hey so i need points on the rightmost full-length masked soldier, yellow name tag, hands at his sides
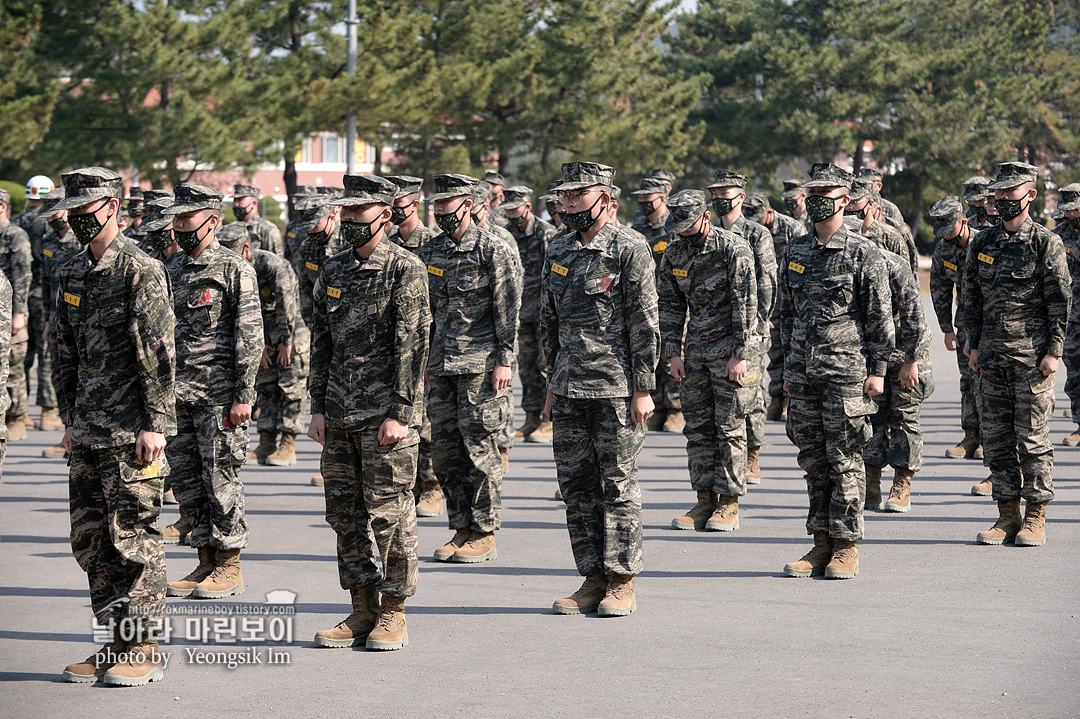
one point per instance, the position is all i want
(1017, 300)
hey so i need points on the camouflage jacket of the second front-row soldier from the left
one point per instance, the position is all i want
(370, 338)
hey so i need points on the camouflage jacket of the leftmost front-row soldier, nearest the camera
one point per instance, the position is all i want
(114, 347)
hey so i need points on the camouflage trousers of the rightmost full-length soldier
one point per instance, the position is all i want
(1016, 404)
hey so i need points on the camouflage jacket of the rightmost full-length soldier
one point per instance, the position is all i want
(1017, 295)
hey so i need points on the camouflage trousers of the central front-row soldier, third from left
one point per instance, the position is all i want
(597, 449)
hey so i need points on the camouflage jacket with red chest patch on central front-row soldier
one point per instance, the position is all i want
(599, 317)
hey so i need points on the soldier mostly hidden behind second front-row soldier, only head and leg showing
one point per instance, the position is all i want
(412, 235)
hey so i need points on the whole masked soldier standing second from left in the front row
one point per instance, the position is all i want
(370, 350)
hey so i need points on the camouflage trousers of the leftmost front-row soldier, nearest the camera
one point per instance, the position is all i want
(115, 501)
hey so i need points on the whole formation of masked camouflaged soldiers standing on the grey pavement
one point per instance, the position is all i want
(407, 341)
